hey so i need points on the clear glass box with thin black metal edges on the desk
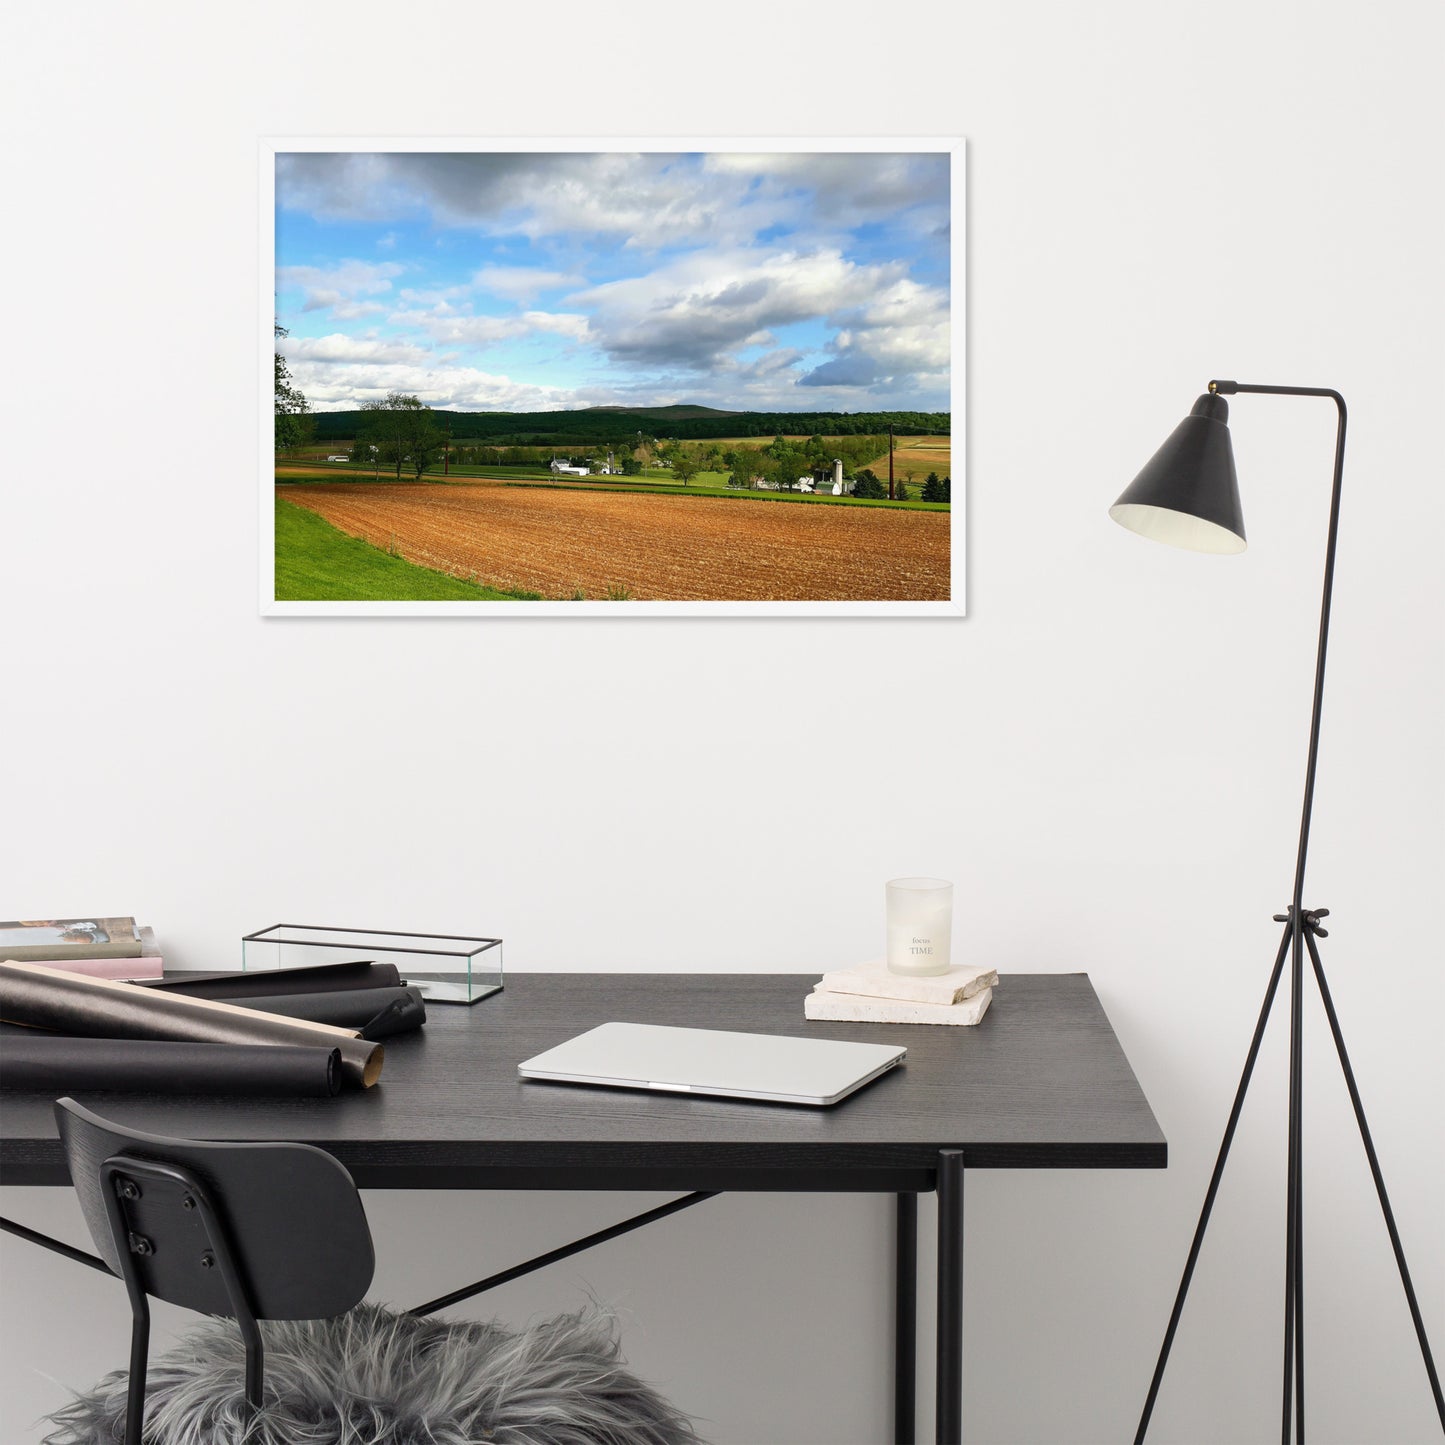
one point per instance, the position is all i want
(447, 967)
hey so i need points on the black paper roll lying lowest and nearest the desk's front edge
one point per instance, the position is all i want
(54, 1064)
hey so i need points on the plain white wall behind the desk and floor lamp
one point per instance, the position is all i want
(1110, 764)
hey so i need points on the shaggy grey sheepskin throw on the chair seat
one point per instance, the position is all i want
(372, 1378)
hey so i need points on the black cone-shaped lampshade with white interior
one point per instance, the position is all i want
(1189, 495)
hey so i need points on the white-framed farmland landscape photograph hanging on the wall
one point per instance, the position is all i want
(557, 381)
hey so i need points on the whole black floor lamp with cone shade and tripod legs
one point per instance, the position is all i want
(1189, 496)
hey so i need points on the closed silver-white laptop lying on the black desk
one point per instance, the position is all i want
(712, 1061)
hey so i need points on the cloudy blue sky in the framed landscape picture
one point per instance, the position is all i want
(491, 281)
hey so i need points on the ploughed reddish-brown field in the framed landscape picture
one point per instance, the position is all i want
(657, 548)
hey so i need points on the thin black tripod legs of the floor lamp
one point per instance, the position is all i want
(1303, 928)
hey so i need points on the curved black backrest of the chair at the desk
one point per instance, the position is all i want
(285, 1219)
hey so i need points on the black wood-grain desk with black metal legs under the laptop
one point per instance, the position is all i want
(1040, 1084)
